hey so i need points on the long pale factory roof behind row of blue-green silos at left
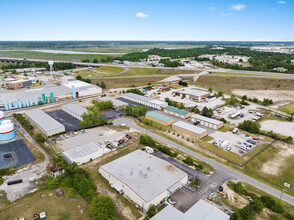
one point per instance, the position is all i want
(26, 94)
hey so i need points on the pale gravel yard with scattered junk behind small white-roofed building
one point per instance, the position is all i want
(97, 135)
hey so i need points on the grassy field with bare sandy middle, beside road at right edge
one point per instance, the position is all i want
(273, 164)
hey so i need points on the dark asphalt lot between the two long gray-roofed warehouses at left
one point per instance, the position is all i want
(70, 123)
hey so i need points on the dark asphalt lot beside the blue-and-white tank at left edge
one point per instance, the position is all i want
(21, 154)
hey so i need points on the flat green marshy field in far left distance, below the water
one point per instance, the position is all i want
(49, 56)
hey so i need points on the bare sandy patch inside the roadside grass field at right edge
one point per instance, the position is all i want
(279, 161)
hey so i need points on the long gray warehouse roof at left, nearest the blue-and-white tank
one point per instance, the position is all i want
(45, 121)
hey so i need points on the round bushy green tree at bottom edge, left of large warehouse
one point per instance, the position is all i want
(101, 208)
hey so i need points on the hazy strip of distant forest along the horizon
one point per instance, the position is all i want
(90, 44)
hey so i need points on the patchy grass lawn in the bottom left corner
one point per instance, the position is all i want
(56, 208)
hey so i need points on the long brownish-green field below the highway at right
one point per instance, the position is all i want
(229, 83)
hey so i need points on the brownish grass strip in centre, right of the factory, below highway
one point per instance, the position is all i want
(128, 82)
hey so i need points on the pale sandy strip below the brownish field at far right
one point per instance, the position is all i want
(275, 95)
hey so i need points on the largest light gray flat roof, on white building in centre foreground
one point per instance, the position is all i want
(160, 177)
